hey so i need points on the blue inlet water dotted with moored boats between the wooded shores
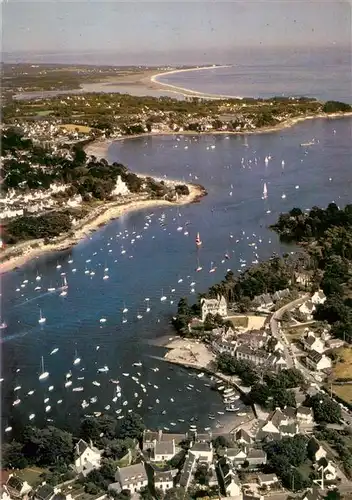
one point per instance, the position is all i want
(159, 258)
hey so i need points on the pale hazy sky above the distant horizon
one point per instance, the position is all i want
(153, 29)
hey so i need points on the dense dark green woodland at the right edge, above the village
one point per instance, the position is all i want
(328, 234)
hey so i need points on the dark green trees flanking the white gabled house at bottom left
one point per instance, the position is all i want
(54, 449)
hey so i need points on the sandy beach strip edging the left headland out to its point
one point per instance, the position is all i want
(107, 213)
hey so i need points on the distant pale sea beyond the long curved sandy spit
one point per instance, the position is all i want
(324, 74)
